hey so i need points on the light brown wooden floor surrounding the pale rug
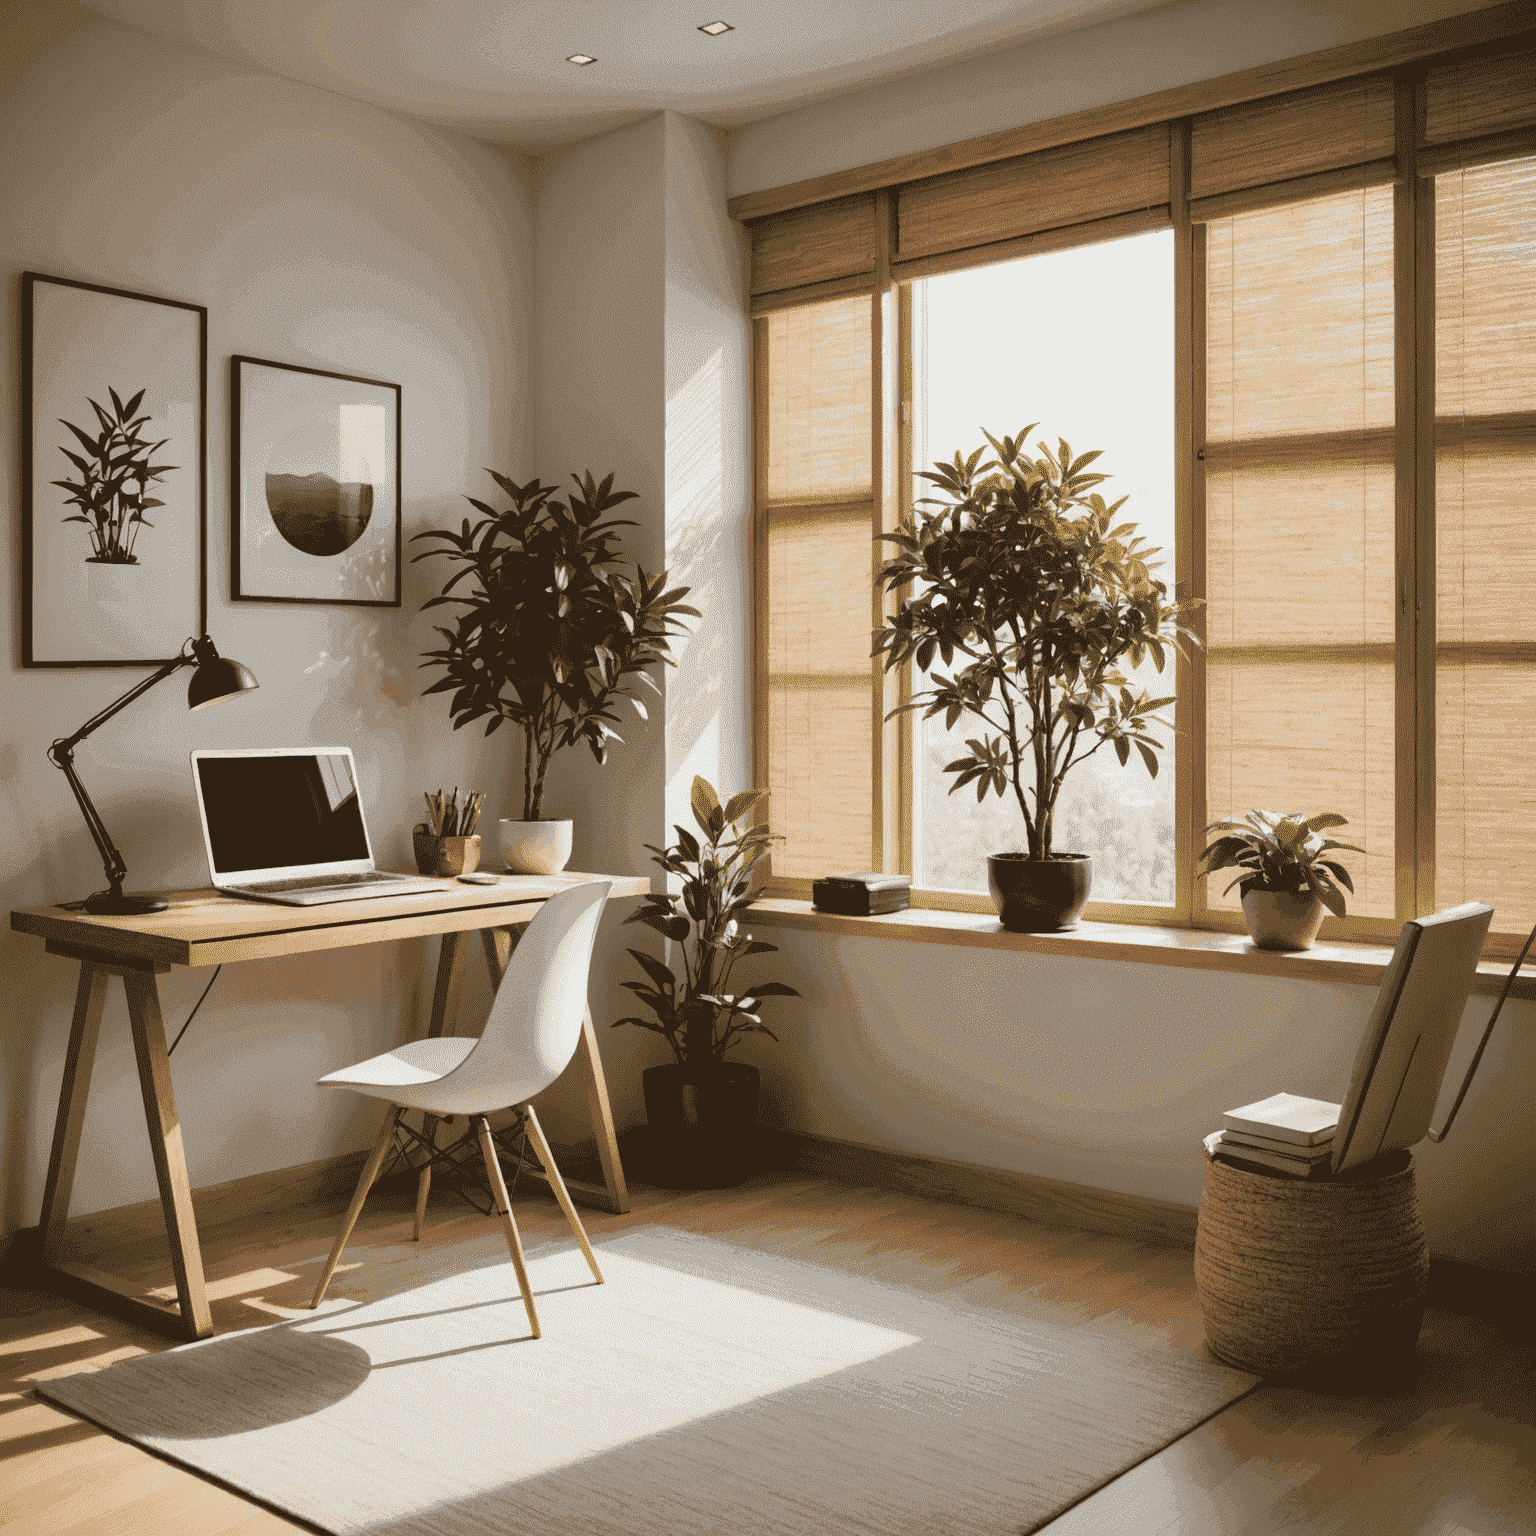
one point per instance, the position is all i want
(1454, 1457)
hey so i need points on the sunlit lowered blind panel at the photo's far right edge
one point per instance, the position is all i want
(1486, 529)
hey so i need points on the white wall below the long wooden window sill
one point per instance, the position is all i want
(1110, 1074)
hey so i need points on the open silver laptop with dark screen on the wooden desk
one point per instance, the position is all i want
(285, 824)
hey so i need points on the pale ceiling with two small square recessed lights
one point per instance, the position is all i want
(497, 68)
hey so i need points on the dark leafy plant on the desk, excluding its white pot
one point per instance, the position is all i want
(552, 634)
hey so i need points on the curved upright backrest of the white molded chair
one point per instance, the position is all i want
(535, 1021)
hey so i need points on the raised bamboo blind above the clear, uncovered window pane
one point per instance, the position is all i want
(985, 207)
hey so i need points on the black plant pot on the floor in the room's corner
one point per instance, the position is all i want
(703, 1124)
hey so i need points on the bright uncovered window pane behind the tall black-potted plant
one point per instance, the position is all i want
(1082, 343)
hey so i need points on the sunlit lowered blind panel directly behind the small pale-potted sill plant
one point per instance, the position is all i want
(1300, 506)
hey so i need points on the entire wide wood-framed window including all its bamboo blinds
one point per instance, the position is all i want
(1303, 331)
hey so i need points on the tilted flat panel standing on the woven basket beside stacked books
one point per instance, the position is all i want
(1403, 1054)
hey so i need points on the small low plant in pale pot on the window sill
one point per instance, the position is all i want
(1286, 878)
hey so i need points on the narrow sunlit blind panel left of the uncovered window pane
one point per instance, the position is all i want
(819, 574)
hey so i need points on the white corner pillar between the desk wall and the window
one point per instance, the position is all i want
(641, 365)
